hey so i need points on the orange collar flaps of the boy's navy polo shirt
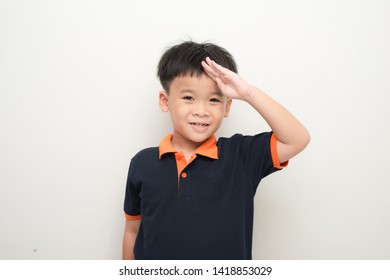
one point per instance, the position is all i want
(207, 149)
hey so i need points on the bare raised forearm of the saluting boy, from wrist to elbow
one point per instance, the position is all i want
(287, 129)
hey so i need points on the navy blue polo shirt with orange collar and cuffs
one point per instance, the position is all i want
(202, 209)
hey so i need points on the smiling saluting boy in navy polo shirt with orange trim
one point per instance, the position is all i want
(192, 197)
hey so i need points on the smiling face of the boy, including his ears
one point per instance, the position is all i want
(196, 106)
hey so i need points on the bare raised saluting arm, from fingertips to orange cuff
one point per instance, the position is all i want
(291, 134)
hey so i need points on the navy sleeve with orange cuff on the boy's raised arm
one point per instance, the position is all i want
(260, 155)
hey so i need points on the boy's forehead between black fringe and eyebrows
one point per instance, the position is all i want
(195, 84)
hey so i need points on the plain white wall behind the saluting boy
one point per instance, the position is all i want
(78, 98)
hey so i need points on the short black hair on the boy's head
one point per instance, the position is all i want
(185, 59)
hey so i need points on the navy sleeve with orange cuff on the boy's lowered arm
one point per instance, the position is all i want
(132, 202)
